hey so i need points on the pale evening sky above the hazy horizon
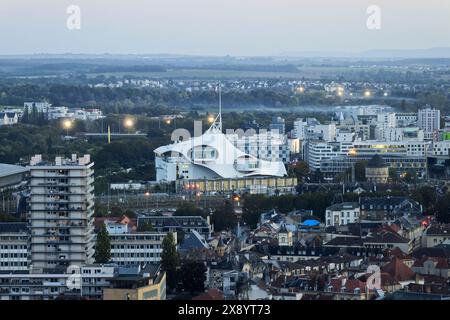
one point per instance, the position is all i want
(220, 27)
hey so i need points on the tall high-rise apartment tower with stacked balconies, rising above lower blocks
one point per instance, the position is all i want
(61, 210)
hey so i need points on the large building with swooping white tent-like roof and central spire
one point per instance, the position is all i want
(213, 156)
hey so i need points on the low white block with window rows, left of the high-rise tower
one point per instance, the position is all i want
(13, 246)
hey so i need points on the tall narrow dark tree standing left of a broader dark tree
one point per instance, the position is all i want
(170, 260)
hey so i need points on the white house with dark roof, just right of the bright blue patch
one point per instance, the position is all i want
(342, 214)
